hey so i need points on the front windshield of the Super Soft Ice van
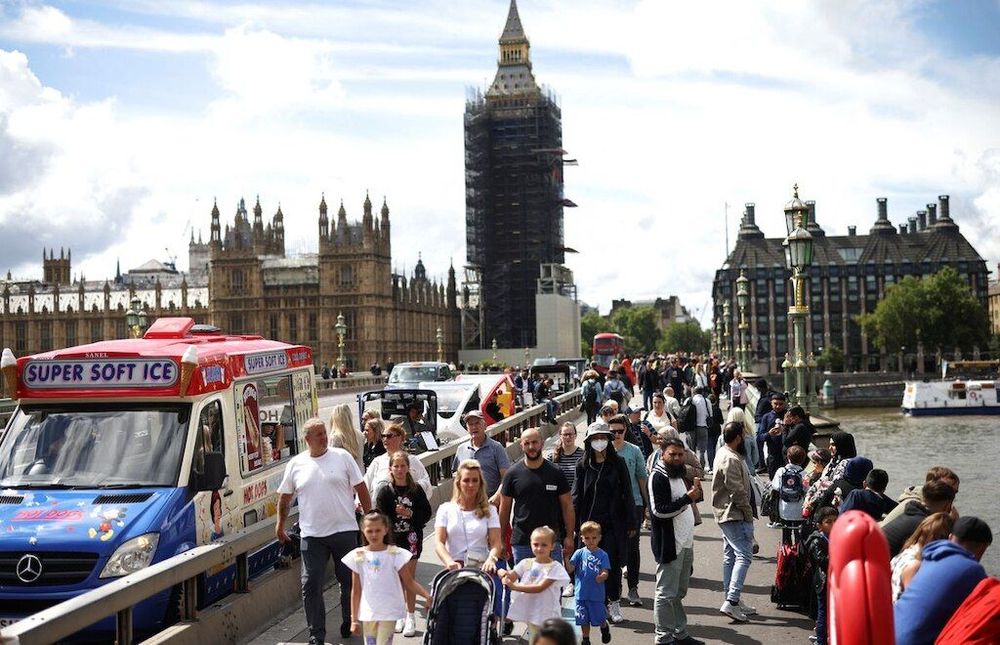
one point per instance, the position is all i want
(94, 446)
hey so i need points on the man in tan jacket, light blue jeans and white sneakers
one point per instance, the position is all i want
(733, 506)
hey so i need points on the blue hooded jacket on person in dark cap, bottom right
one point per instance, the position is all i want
(947, 575)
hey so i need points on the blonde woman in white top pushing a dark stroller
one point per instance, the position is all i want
(467, 529)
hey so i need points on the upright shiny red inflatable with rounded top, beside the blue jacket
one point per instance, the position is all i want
(859, 583)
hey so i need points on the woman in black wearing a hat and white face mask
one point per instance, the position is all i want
(602, 493)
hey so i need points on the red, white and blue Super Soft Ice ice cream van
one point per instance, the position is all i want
(124, 453)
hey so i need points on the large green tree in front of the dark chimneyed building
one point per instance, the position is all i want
(939, 311)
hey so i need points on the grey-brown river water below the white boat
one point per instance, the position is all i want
(907, 447)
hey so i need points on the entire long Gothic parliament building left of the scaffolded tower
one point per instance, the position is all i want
(243, 281)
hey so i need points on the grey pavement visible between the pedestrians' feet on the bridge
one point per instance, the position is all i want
(702, 603)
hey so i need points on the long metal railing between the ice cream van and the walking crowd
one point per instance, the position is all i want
(118, 597)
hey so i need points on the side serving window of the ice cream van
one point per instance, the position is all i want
(265, 422)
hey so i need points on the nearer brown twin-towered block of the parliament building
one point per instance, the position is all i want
(256, 288)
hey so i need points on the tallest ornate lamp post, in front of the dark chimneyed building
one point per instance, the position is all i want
(798, 257)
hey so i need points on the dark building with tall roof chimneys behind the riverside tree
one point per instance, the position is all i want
(848, 276)
